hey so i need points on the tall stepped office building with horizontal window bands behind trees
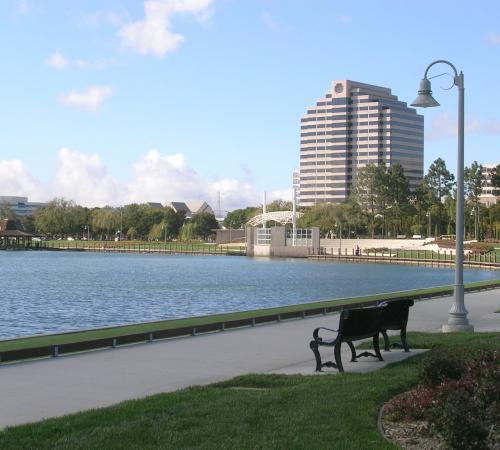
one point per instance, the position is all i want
(356, 124)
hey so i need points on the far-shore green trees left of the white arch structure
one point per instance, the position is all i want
(62, 218)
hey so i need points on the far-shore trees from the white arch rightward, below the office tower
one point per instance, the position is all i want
(382, 204)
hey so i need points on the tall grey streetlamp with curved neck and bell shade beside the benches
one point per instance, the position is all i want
(457, 317)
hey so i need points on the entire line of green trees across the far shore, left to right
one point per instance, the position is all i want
(381, 204)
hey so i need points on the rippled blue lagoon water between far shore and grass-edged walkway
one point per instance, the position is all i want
(46, 292)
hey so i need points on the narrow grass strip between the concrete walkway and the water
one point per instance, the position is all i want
(110, 332)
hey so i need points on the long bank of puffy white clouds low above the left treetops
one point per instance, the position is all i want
(155, 177)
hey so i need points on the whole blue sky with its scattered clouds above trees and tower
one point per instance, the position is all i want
(107, 102)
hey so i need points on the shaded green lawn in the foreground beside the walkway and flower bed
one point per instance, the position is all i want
(253, 411)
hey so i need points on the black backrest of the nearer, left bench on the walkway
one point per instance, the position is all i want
(359, 323)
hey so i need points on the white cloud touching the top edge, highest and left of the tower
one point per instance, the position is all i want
(153, 34)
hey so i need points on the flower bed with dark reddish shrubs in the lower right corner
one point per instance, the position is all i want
(456, 403)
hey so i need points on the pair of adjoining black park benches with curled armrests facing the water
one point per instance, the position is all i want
(363, 323)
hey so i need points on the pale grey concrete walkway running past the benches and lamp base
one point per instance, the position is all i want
(31, 391)
